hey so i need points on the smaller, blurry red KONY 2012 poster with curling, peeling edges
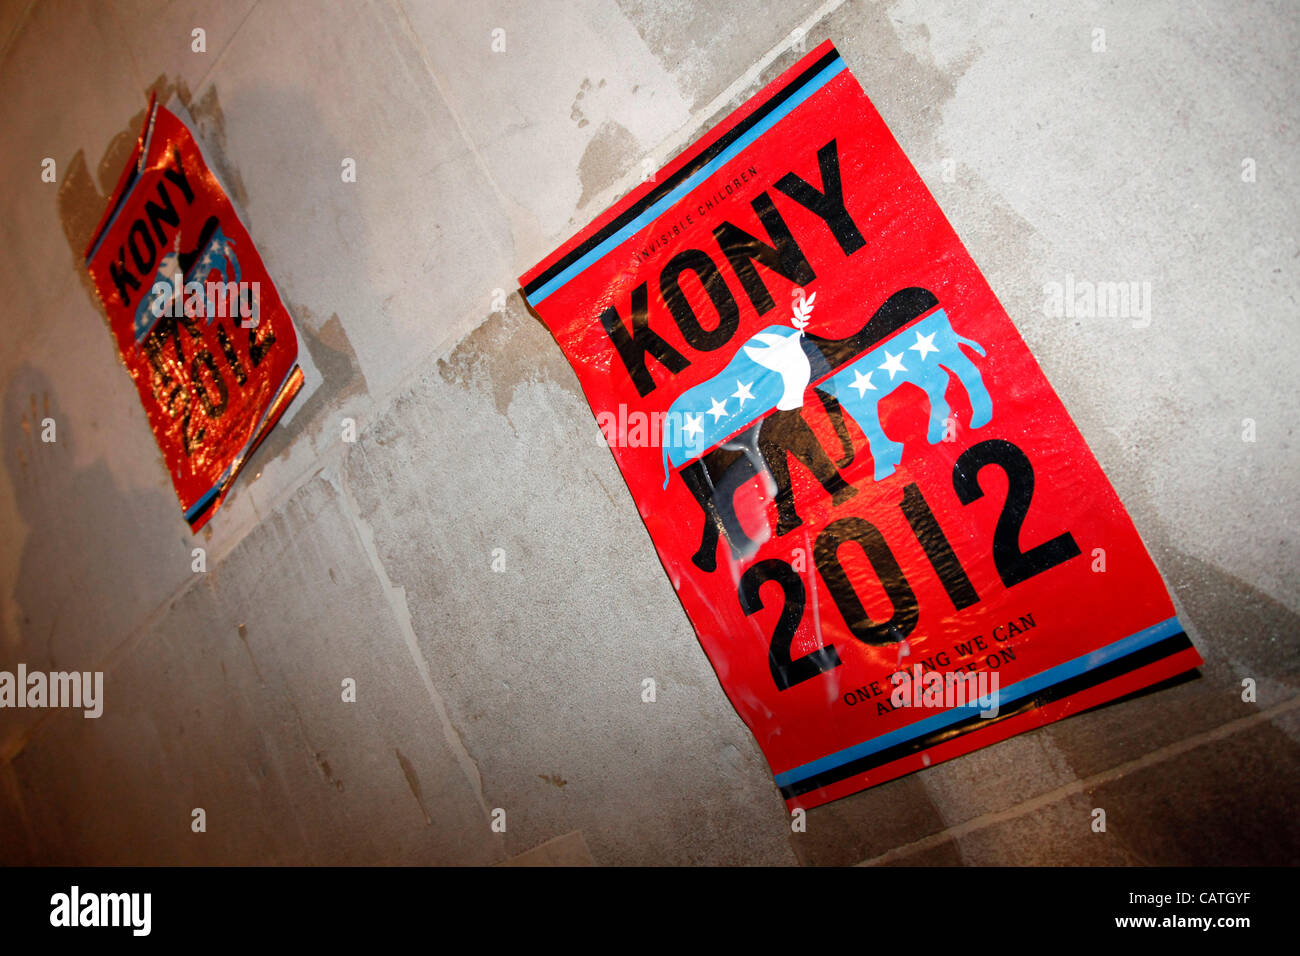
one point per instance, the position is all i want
(198, 321)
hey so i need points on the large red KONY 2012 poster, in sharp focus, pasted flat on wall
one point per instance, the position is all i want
(891, 539)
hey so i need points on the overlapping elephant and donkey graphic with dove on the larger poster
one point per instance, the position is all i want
(747, 421)
